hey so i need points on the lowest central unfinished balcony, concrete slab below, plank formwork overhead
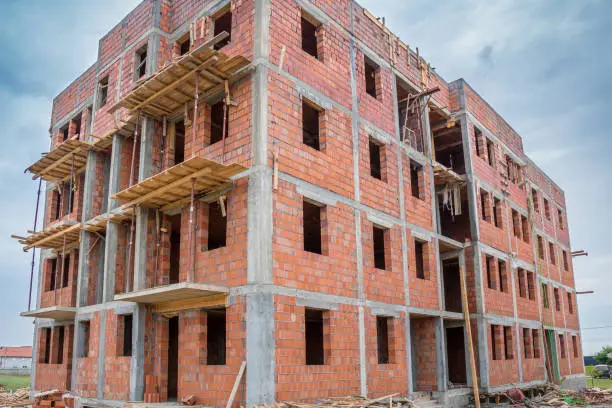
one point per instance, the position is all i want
(172, 199)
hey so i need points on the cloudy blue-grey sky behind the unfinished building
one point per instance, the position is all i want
(543, 65)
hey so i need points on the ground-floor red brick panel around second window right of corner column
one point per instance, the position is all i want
(385, 379)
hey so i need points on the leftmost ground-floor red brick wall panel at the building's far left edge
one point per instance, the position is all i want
(54, 376)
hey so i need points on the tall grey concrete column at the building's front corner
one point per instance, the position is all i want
(260, 356)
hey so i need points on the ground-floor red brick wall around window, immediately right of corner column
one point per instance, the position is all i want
(340, 374)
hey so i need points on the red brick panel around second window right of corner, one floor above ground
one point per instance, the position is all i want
(382, 285)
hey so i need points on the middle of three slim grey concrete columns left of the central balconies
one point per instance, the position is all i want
(112, 229)
